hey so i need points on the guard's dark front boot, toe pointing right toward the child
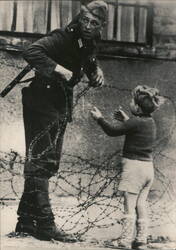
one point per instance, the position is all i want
(49, 231)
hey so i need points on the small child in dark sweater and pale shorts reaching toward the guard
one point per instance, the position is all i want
(137, 172)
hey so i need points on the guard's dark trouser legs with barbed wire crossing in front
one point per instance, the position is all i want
(44, 132)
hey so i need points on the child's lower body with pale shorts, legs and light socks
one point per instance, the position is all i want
(136, 180)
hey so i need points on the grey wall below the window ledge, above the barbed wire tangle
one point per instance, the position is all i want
(83, 137)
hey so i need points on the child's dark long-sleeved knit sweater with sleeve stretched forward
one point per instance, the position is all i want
(140, 136)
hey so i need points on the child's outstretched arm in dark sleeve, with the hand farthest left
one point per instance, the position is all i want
(109, 129)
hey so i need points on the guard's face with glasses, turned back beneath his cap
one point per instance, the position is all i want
(90, 26)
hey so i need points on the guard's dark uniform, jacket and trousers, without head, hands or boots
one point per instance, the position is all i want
(47, 106)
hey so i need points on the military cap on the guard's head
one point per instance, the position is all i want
(97, 8)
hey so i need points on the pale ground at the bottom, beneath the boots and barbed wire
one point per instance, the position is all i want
(96, 238)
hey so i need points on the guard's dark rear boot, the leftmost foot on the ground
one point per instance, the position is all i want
(25, 225)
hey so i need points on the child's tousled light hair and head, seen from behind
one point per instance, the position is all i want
(147, 98)
